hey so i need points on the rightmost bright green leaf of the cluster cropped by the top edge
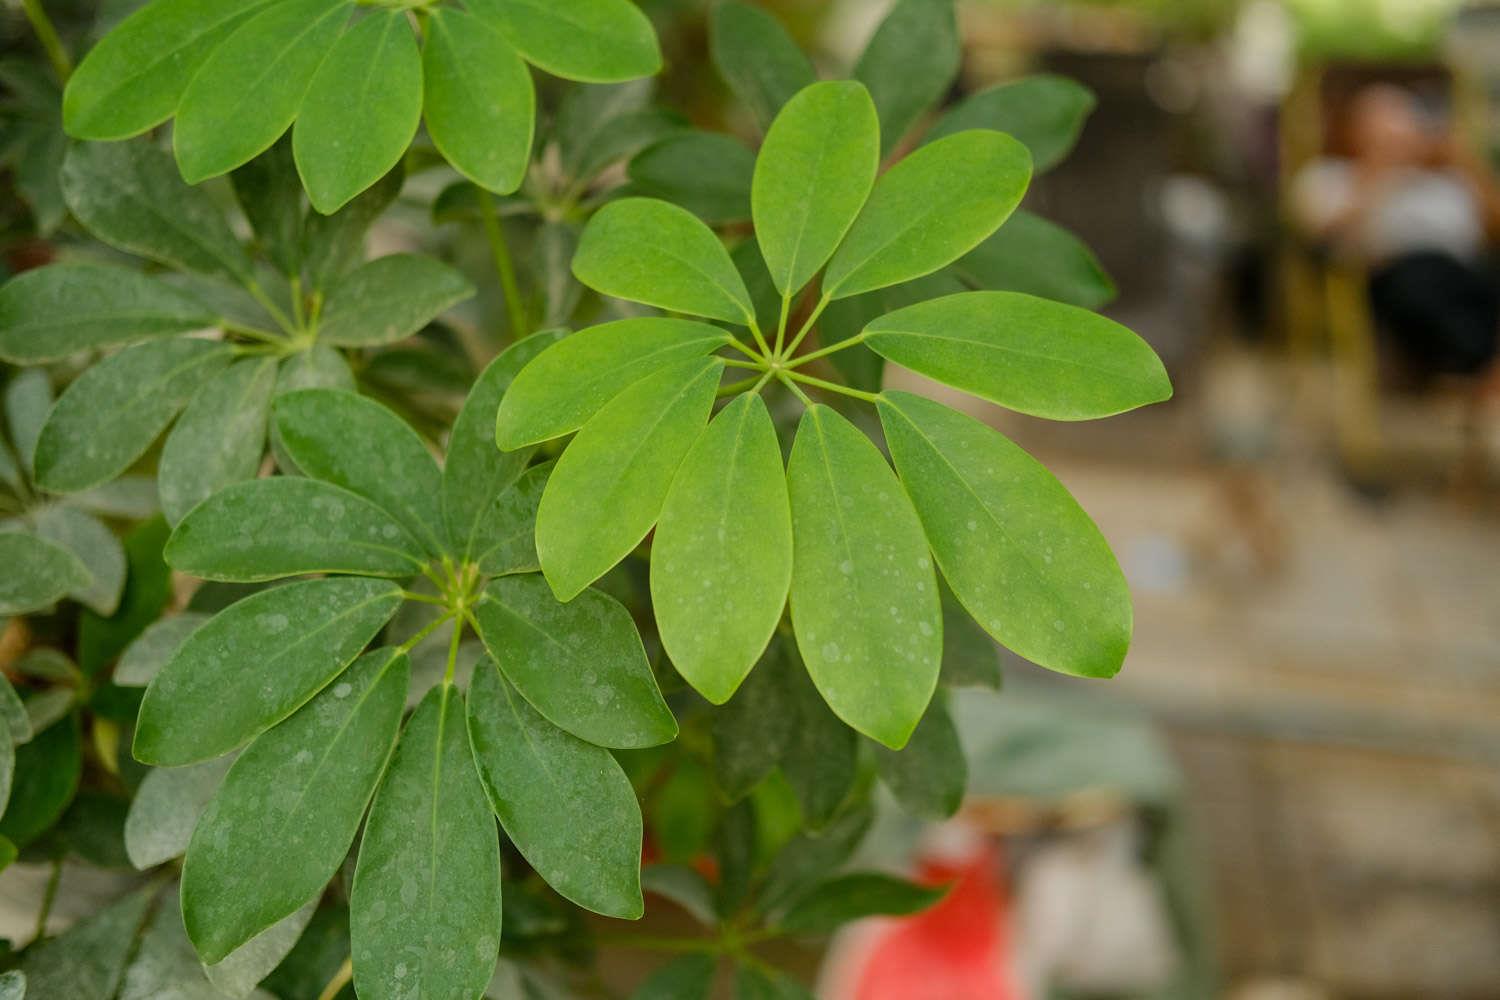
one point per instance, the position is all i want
(592, 41)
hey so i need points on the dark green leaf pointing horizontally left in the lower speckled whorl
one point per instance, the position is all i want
(289, 525)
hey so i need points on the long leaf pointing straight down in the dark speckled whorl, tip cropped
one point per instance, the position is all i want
(425, 909)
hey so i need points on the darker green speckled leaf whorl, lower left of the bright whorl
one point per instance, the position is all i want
(287, 672)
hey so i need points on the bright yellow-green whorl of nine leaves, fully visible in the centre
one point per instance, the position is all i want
(838, 536)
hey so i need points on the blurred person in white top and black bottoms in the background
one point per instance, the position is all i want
(1415, 206)
